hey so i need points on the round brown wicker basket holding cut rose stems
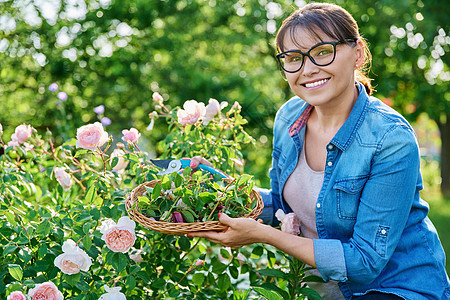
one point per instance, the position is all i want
(180, 228)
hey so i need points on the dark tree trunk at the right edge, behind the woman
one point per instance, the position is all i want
(444, 129)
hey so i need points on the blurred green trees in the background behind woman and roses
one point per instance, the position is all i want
(117, 53)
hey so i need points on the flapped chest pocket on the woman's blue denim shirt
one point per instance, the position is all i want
(348, 193)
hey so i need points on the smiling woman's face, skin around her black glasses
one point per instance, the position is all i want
(324, 85)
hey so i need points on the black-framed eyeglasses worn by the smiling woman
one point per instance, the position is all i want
(321, 54)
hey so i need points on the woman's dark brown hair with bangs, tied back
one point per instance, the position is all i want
(332, 20)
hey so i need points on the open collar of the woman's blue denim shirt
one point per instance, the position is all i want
(345, 134)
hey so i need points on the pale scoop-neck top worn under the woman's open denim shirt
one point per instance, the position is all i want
(301, 192)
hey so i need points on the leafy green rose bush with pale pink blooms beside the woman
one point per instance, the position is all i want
(65, 232)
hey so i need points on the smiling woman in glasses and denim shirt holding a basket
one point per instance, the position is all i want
(348, 166)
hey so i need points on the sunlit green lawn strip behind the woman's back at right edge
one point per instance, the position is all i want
(440, 216)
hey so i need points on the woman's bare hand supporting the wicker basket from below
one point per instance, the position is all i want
(240, 232)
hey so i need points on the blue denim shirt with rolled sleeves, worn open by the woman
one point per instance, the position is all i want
(374, 233)
